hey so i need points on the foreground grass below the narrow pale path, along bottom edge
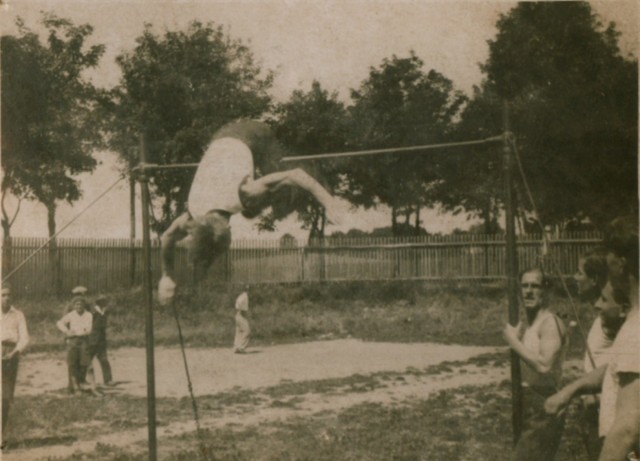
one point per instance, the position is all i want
(471, 422)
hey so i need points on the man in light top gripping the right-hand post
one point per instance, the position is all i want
(541, 344)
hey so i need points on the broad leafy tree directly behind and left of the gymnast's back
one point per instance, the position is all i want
(179, 88)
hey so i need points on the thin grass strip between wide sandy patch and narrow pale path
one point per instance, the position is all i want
(58, 418)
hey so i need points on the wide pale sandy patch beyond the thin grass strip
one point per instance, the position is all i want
(217, 370)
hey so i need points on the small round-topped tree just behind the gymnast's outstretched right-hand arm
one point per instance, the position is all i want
(309, 124)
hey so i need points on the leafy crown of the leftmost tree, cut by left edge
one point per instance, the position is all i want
(48, 112)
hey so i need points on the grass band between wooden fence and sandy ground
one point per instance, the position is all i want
(388, 311)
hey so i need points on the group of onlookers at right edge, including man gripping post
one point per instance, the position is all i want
(608, 277)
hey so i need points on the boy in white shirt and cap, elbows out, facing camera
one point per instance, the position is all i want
(76, 326)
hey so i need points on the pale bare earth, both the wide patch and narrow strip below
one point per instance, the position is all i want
(219, 370)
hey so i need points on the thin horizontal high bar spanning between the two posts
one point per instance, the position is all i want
(393, 150)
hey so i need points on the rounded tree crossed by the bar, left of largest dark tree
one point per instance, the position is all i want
(400, 105)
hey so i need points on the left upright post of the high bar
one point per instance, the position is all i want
(146, 240)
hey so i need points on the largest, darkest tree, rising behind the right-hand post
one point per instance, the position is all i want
(574, 108)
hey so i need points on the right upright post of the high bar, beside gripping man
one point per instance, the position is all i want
(512, 276)
